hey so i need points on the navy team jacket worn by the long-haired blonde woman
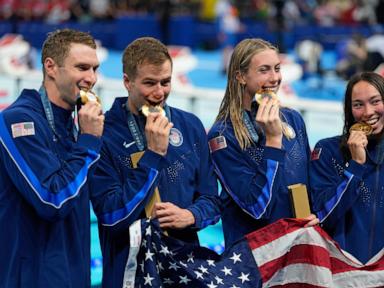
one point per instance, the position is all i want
(255, 180)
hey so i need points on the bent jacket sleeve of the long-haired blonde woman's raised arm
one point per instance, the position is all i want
(252, 185)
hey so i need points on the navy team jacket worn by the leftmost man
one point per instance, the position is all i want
(44, 205)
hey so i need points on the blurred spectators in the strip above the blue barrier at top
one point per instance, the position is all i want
(290, 12)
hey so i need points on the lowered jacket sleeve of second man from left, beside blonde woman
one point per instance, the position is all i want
(205, 208)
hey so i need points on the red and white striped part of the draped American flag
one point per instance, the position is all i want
(289, 255)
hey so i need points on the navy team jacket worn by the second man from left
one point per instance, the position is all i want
(185, 177)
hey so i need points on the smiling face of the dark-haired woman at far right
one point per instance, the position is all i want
(367, 106)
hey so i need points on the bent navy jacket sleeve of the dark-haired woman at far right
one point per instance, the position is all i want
(334, 188)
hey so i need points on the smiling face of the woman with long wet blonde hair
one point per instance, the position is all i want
(263, 73)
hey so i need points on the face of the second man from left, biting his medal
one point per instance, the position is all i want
(151, 85)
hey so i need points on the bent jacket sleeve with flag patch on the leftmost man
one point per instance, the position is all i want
(50, 184)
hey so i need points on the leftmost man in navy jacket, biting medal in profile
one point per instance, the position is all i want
(44, 164)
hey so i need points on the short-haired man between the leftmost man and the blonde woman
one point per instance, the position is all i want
(175, 160)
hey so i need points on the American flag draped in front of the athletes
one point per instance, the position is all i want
(283, 254)
